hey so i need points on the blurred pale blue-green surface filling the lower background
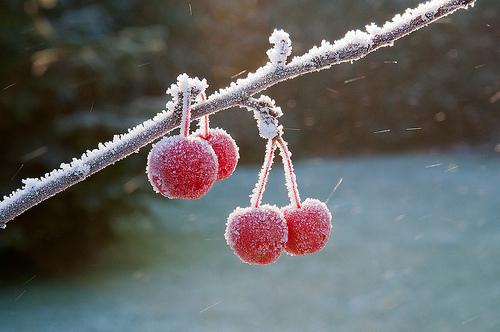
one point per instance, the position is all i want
(415, 247)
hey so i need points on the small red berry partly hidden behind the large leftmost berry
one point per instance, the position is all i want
(225, 148)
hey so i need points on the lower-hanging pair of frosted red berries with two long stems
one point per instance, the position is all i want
(259, 234)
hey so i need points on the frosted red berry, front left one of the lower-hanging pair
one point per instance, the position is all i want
(257, 235)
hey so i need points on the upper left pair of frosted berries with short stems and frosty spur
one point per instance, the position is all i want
(186, 166)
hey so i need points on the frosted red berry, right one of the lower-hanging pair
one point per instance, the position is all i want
(308, 227)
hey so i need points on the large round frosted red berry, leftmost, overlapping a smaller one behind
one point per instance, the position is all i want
(182, 167)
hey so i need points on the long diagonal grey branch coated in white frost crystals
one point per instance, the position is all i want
(355, 45)
